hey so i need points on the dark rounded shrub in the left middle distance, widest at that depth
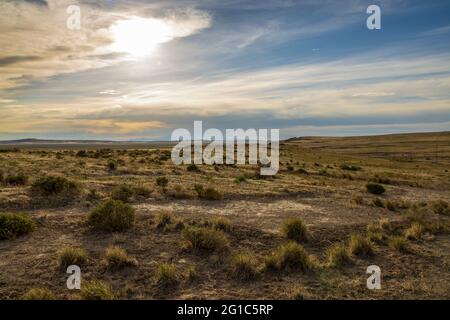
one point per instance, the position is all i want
(52, 185)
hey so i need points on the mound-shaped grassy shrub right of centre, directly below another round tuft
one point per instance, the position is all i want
(290, 256)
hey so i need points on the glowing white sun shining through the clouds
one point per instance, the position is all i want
(139, 37)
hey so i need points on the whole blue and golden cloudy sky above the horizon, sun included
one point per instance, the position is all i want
(137, 70)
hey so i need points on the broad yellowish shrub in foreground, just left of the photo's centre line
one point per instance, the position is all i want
(205, 239)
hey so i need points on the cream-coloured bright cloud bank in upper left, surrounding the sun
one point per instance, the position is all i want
(38, 45)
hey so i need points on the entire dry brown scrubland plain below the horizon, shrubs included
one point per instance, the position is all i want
(142, 228)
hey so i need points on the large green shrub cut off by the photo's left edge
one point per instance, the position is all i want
(15, 225)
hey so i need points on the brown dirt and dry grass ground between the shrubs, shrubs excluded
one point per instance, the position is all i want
(332, 201)
